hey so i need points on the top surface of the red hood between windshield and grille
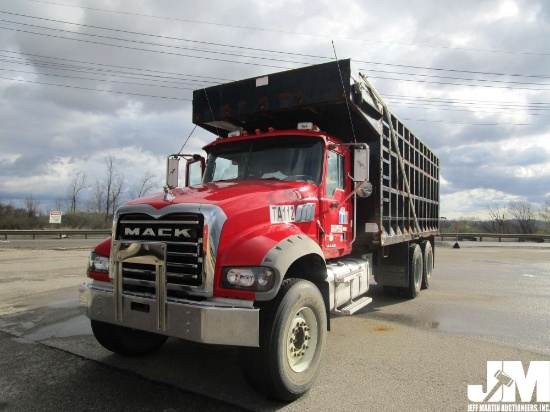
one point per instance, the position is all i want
(237, 196)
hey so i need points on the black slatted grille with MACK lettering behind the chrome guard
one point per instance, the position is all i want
(183, 236)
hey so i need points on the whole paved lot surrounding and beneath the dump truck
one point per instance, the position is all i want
(489, 303)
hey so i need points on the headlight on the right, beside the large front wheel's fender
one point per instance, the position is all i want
(258, 279)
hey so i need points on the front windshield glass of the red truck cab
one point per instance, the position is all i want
(291, 158)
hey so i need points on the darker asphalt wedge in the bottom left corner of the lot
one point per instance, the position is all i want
(39, 377)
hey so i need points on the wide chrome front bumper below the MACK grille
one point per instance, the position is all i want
(206, 322)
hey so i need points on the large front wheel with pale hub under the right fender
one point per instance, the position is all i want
(292, 341)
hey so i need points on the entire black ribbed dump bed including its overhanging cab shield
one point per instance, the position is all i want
(342, 103)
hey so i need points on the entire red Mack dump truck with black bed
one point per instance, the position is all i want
(310, 187)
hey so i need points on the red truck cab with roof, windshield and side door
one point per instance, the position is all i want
(312, 165)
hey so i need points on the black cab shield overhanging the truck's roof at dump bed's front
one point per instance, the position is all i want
(282, 100)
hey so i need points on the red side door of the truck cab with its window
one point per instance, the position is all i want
(336, 213)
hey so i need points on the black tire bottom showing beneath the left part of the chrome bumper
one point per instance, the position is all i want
(126, 341)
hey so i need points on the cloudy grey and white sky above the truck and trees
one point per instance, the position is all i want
(84, 79)
